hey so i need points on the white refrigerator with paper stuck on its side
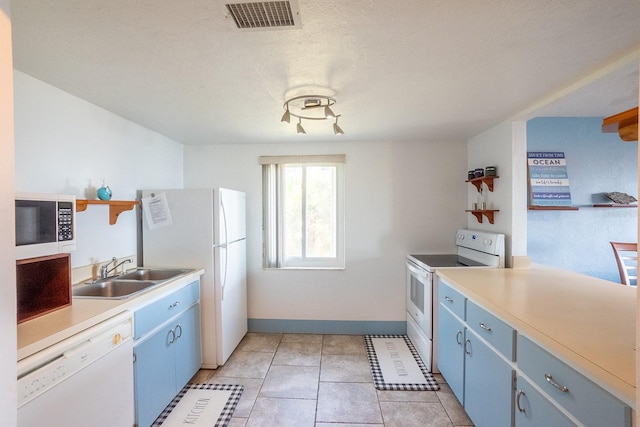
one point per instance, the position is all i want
(207, 230)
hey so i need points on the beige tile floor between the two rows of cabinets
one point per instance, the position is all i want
(302, 380)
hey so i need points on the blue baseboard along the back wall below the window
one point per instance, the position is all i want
(346, 327)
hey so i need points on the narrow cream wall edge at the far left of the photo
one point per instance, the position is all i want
(8, 401)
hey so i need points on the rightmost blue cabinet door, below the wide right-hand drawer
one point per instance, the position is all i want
(533, 409)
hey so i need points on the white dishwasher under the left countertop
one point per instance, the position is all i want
(85, 380)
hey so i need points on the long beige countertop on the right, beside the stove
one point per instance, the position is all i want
(588, 323)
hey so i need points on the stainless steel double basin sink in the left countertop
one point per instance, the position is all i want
(126, 285)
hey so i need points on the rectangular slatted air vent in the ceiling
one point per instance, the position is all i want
(260, 15)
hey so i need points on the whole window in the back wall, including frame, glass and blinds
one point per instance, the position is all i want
(303, 211)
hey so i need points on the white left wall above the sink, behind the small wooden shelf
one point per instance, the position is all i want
(67, 145)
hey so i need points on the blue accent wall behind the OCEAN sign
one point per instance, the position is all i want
(596, 163)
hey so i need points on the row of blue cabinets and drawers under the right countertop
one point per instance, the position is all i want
(485, 361)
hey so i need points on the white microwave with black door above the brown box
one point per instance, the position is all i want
(45, 224)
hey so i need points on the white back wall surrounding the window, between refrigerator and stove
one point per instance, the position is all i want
(400, 198)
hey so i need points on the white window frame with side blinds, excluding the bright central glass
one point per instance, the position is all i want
(272, 226)
